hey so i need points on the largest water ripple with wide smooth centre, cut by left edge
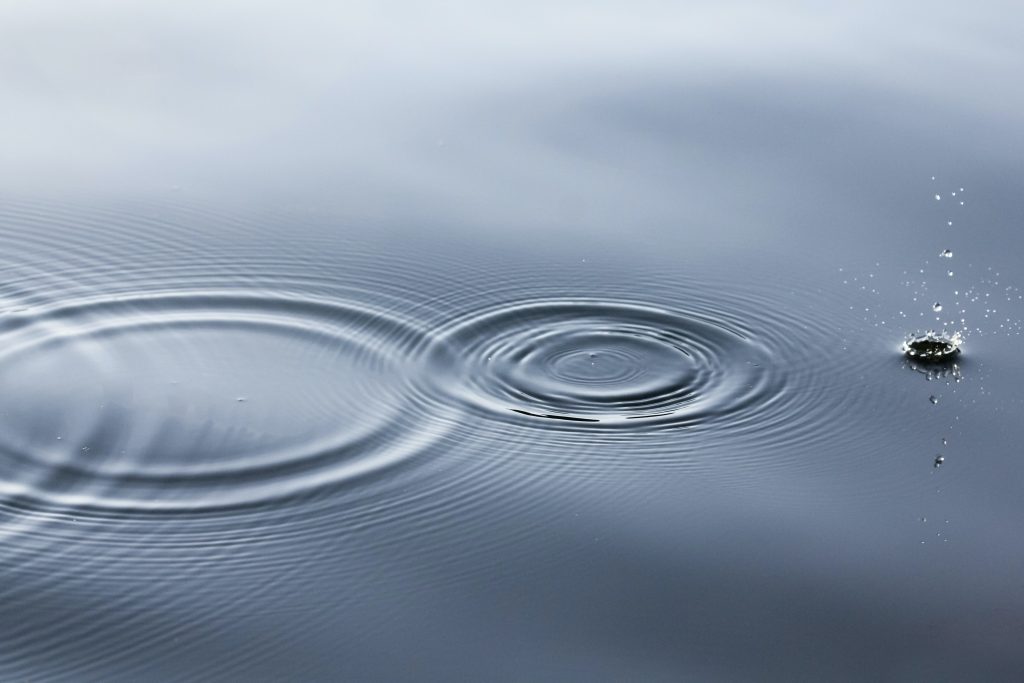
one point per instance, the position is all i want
(192, 402)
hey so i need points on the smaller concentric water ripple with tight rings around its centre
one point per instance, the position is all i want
(605, 364)
